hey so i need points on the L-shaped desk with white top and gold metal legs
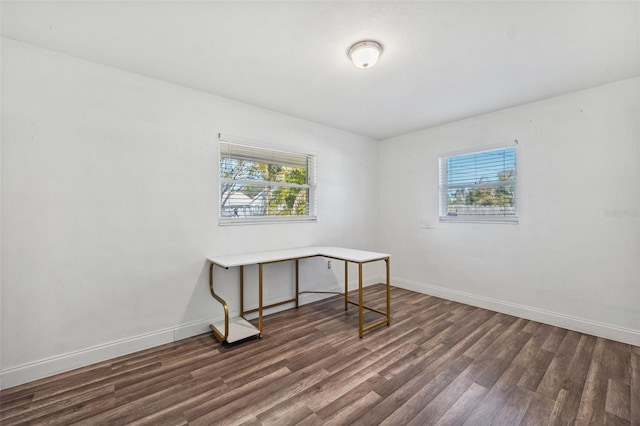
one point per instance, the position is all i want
(234, 329)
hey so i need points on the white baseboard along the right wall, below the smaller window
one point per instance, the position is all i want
(608, 331)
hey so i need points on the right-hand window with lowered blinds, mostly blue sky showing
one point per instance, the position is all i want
(479, 186)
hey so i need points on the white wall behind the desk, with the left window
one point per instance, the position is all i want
(110, 204)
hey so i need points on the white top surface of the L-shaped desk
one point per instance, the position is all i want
(351, 255)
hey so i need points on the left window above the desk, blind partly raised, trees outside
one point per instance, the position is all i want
(259, 185)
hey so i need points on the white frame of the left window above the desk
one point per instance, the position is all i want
(271, 153)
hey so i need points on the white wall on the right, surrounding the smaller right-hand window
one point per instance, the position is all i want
(574, 258)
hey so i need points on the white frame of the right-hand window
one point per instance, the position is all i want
(443, 187)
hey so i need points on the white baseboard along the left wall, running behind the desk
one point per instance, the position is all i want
(40, 369)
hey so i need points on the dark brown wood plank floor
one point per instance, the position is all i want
(439, 362)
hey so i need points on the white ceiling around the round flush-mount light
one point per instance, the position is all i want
(443, 61)
